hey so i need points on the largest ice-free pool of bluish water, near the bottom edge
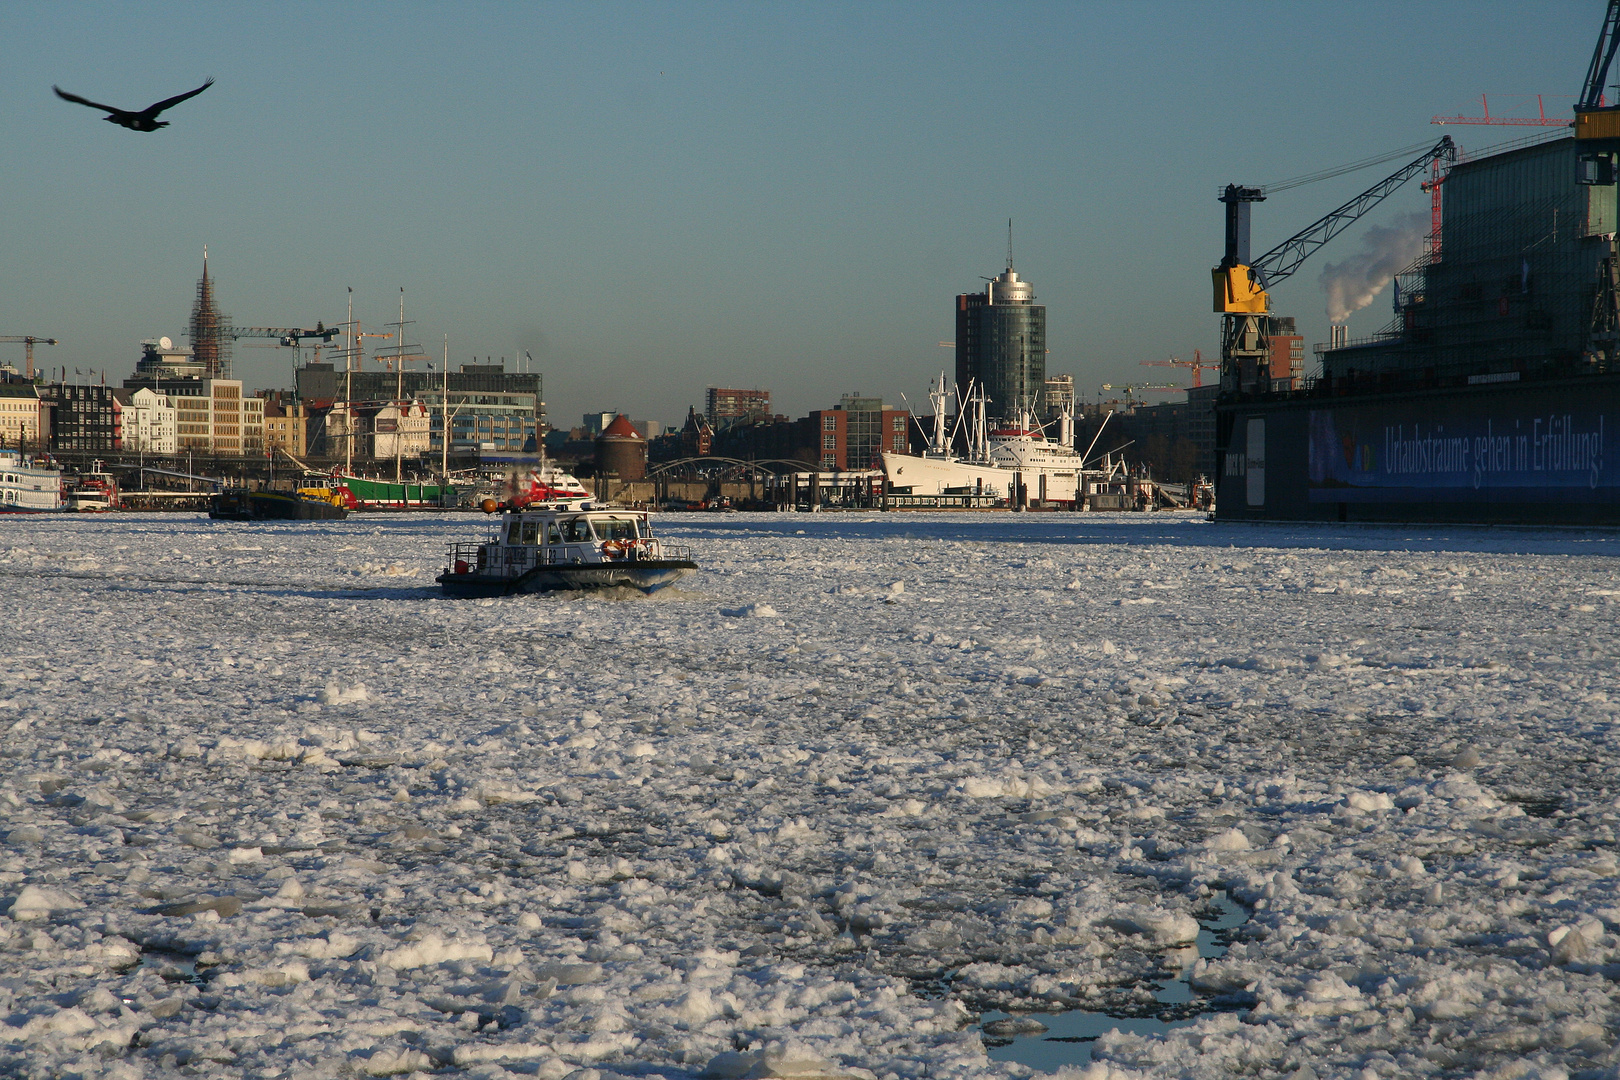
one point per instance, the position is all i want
(1070, 1035)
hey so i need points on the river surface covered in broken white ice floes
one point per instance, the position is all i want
(275, 809)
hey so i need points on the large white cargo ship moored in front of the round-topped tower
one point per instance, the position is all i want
(1002, 459)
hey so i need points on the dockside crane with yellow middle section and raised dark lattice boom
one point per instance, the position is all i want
(1243, 286)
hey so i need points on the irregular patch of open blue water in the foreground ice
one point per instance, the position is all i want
(1068, 1037)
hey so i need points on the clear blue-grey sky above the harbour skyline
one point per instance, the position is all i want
(660, 198)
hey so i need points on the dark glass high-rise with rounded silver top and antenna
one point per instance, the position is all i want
(1002, 344)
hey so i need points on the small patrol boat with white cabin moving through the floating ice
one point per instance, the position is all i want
(565, 545)
